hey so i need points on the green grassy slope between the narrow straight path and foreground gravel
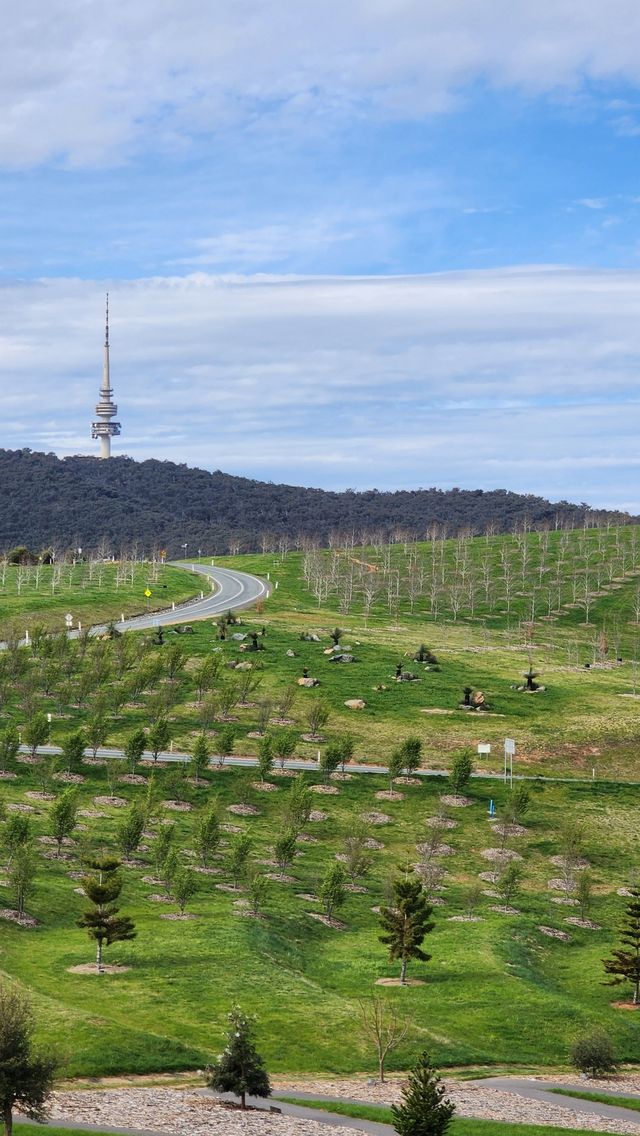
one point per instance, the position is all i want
(498, 990)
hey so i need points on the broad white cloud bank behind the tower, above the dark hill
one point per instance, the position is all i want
(525, 379)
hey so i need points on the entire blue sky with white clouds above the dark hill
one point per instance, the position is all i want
(387, 244)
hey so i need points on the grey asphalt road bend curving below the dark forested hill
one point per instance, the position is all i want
(235, 590)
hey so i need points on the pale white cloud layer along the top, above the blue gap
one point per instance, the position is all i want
(89, 85)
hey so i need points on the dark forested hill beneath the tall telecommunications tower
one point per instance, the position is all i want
(80, 502)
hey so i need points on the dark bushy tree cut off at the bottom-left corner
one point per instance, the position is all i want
(27, 1077)
